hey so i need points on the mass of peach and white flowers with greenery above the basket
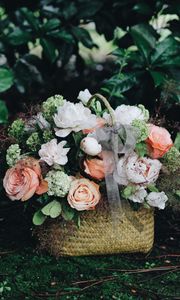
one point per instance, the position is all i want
(63, 165)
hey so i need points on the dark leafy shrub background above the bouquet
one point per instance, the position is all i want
(128, 50)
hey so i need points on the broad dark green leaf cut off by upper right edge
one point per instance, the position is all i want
(166, 51)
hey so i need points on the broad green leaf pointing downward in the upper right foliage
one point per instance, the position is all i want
(144, 37)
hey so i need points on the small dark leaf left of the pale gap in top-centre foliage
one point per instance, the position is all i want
(83, 36)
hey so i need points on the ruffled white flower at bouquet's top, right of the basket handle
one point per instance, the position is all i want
(126, 114)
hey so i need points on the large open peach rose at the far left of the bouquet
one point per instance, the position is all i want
(24, 180)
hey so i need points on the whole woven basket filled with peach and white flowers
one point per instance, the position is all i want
(89, 173)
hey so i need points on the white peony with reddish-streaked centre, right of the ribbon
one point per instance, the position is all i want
(137, 170)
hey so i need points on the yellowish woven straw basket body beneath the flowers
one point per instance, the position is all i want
(132, 231)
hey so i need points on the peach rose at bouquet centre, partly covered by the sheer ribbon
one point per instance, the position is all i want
(96, 168)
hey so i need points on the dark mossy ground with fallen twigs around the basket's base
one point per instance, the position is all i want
(32, 275)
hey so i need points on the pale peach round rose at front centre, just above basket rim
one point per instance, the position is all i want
(84, 194)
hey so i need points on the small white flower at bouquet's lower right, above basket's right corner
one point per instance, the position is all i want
(157, 199)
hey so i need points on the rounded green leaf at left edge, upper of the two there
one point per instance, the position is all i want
(6, 79)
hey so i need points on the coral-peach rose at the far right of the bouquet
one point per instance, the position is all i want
(158, 142)
